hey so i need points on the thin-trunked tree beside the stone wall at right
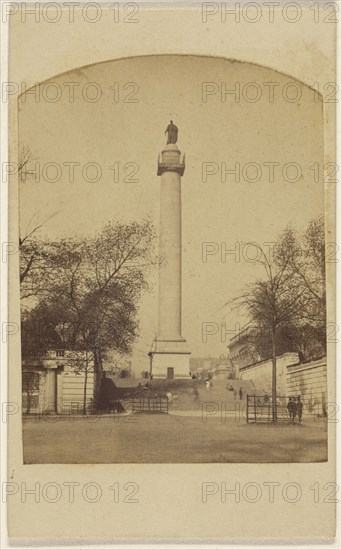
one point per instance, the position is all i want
(291, 295)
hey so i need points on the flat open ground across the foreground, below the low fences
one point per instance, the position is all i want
(167, 439)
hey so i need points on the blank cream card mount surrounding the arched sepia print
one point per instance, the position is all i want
(170, 504)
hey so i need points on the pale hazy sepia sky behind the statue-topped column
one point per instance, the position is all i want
(112, 133)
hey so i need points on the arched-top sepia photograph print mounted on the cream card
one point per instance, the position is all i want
(172, 264)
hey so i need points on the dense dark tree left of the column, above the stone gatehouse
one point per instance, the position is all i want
(90, 298)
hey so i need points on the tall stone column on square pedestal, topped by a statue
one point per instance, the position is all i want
(171, 357)
